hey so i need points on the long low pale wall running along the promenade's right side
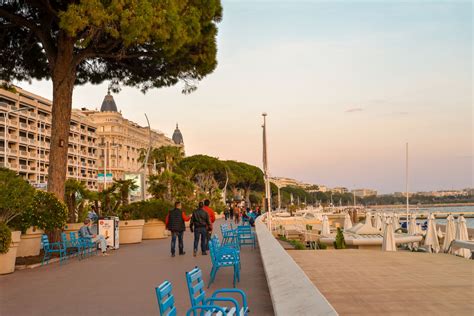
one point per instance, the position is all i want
(291, 290)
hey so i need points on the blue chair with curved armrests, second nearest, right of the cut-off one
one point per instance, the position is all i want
(197, 295)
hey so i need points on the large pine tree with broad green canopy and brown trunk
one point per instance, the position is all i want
(144, 44)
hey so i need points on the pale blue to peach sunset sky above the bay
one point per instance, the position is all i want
(346, 84)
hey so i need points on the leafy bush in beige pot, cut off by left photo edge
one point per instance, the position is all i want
(15, 196)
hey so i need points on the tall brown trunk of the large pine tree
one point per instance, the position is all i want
(64, 75)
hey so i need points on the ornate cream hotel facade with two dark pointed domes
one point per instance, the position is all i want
(120, 141)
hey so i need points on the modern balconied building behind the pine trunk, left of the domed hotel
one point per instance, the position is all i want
(25, 131)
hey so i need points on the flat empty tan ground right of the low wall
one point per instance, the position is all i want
(365, 282)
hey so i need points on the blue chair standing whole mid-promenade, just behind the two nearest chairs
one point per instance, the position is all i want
(223, 257)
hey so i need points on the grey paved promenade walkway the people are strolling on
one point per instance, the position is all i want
(123, 283)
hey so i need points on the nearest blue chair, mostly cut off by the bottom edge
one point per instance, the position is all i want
(167, 308)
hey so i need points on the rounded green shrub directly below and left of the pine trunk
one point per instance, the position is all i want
(47, 212)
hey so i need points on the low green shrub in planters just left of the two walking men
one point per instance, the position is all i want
(146, 210)
